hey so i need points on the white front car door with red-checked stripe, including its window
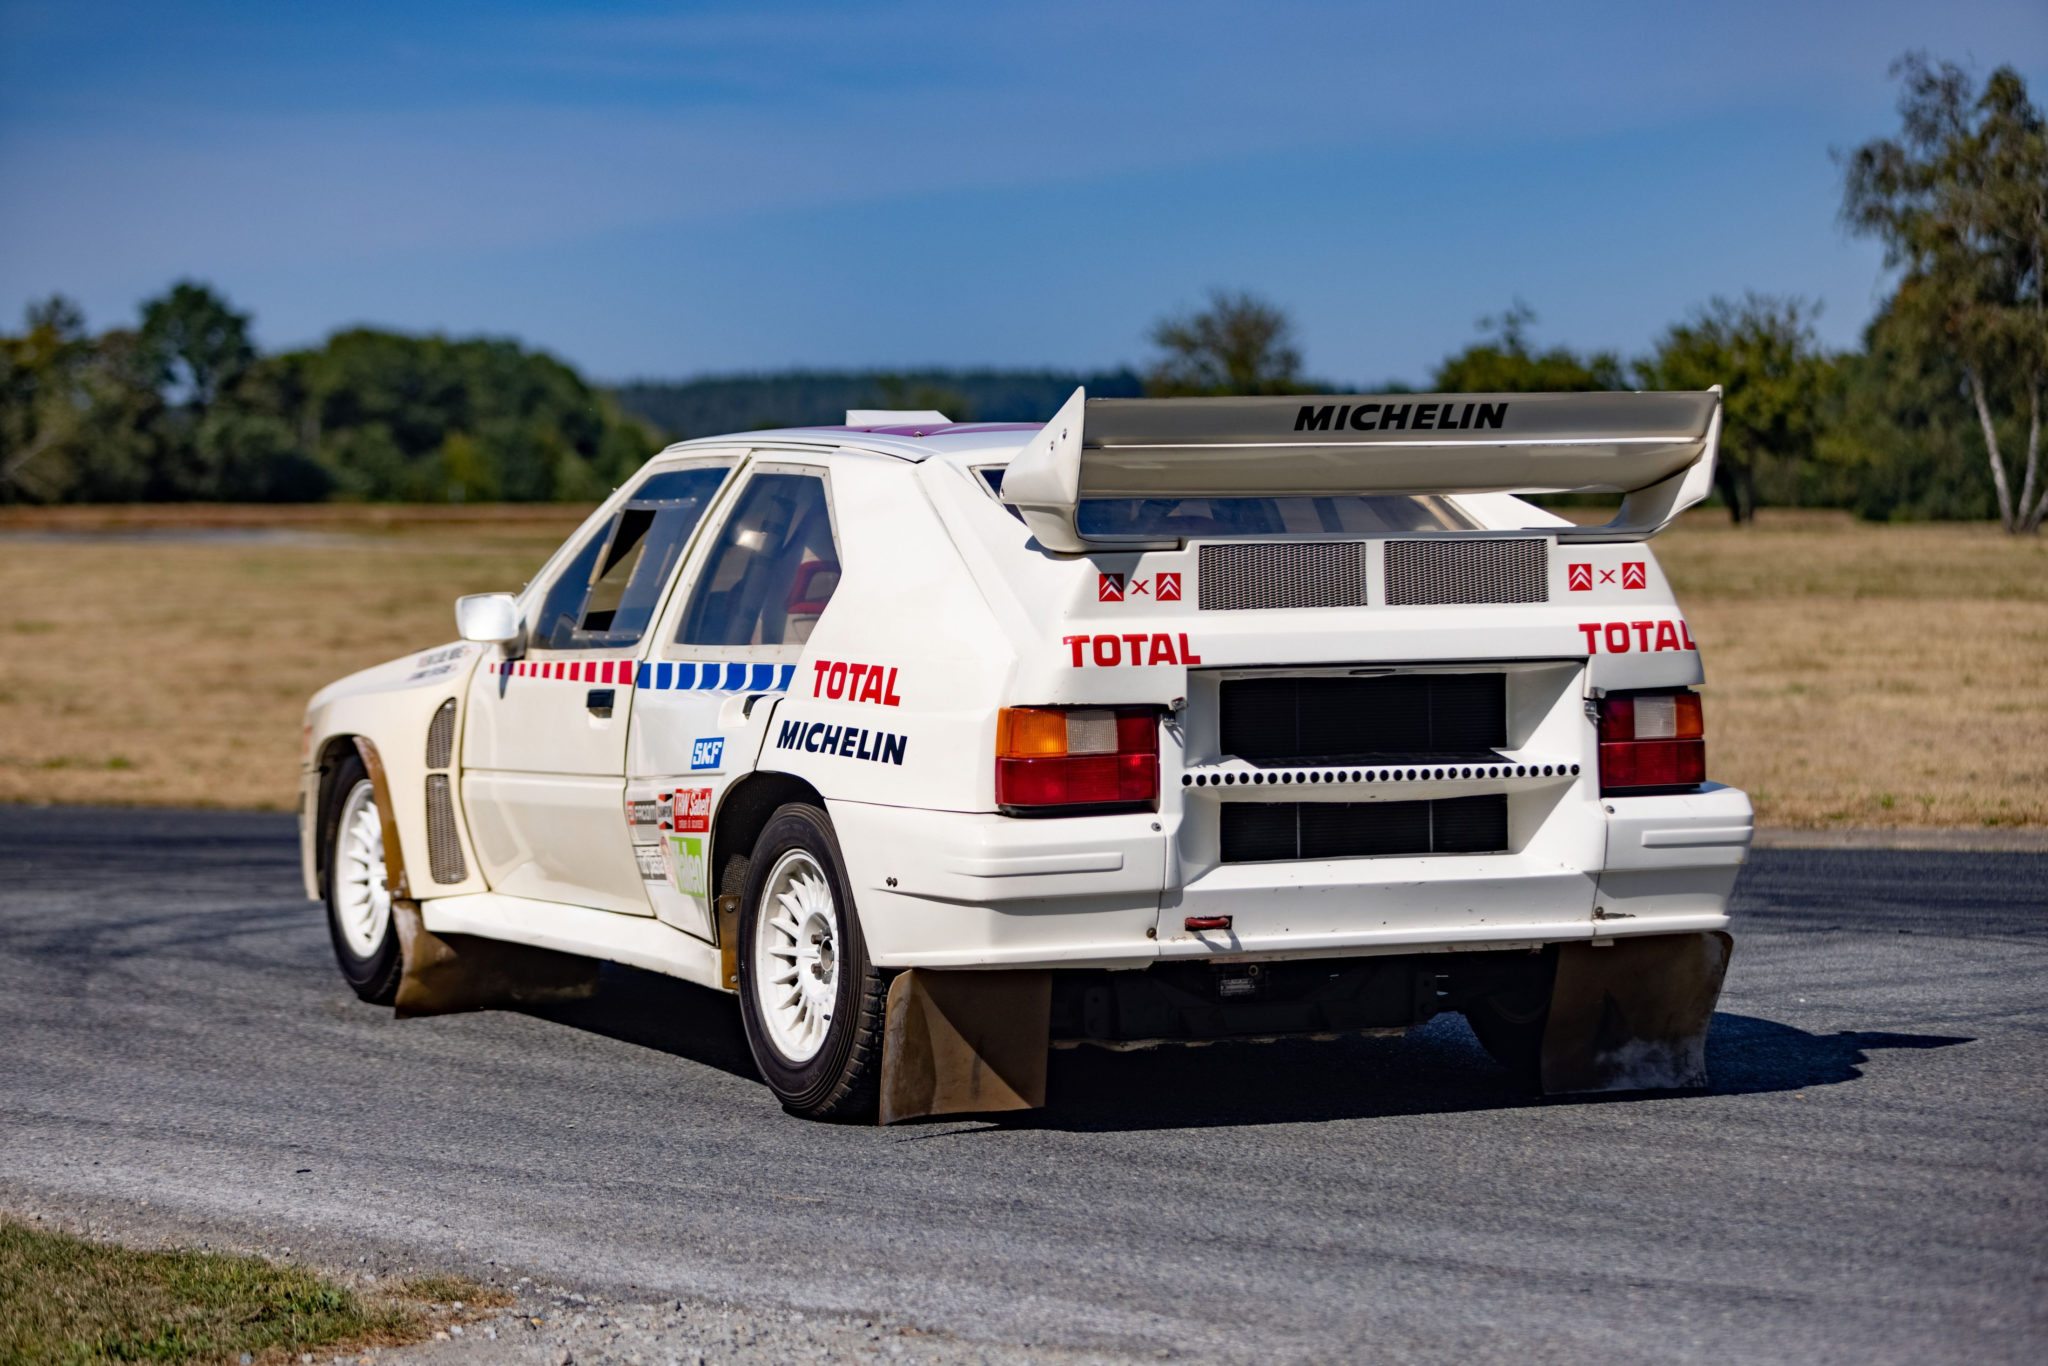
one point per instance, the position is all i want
(546, 736)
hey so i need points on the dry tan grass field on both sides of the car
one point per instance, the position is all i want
(161, 656)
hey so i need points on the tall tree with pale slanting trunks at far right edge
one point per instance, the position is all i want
(1961, 202)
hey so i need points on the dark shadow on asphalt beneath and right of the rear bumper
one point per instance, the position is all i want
(1437, 1070)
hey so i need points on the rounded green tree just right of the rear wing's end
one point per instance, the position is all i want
(1775, 380)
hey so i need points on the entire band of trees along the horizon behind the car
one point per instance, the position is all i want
(1938, 415)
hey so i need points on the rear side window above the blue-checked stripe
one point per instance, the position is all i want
(773, 572)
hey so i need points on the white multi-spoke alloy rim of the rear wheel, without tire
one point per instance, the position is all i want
(798, 955)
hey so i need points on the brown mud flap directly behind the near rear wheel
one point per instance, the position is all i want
(964, 1043)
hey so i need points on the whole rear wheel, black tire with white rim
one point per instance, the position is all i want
(808, 992)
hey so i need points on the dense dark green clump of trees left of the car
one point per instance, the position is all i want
(181, 407)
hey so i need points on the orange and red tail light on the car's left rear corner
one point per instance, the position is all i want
(1076, 757)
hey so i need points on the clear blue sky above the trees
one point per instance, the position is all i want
(660, 191)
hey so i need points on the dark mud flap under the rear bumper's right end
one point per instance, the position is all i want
(1633, 1017)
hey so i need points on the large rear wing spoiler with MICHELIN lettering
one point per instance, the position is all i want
(1656, 450)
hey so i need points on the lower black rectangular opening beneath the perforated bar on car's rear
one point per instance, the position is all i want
(1291, 830)
